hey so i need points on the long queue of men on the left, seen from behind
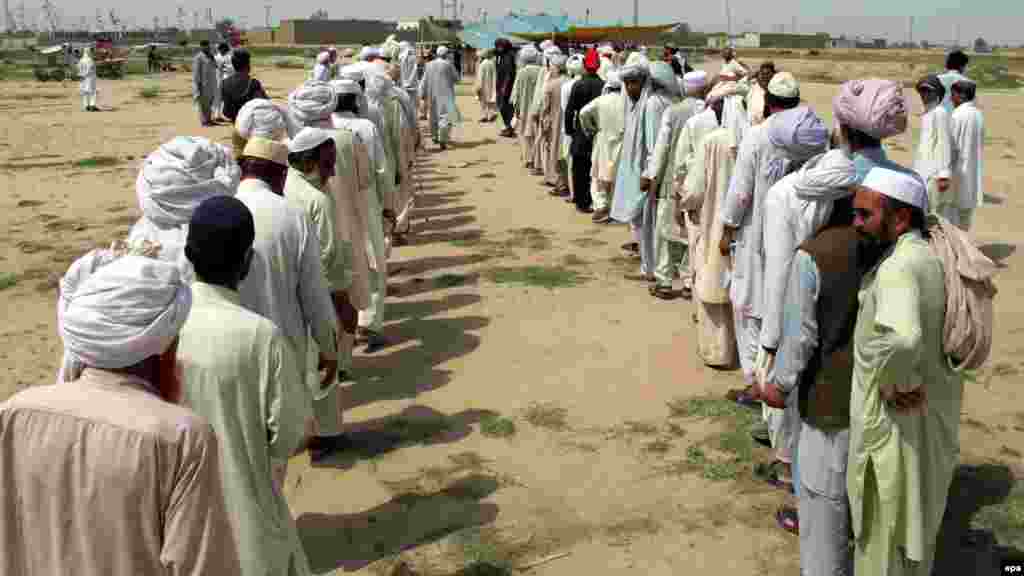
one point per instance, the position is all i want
(206, 350)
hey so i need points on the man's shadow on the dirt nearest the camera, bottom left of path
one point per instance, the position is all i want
(352, 543)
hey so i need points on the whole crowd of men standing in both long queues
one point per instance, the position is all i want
(207, 349)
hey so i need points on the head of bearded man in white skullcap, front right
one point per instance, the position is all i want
(888, 204)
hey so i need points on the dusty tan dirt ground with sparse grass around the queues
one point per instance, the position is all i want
(508, 423)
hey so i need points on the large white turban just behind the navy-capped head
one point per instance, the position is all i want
(180, 176)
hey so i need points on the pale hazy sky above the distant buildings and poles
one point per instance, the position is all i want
(997, 21)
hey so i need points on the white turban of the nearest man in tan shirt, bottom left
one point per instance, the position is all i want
(116, 312)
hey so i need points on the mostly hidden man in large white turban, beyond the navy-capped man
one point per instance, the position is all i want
(173, 183)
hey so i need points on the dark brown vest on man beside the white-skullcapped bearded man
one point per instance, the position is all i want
(826, 384)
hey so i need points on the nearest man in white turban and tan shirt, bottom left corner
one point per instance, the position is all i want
(94, 448)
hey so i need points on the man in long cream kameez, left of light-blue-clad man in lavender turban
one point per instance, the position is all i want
(704, 190)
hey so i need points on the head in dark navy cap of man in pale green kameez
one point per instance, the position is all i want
(221, 241)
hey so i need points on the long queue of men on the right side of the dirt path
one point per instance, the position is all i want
(833, 275)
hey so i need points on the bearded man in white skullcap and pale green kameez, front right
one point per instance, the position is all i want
(907, 400)
